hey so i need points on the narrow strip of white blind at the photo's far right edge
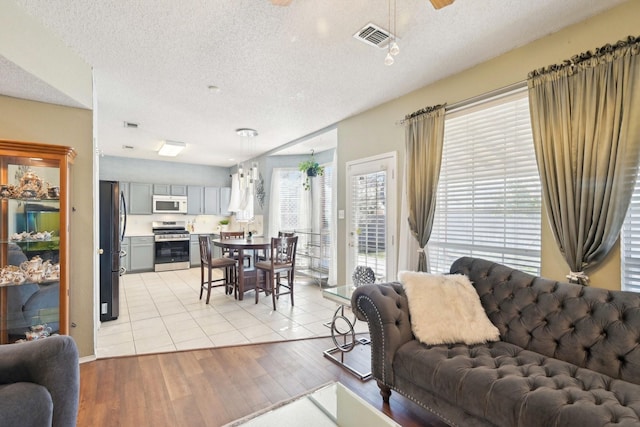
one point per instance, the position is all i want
(631, 244)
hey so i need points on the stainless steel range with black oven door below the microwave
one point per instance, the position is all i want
(171, 245)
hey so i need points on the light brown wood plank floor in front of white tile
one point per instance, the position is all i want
(212, 387)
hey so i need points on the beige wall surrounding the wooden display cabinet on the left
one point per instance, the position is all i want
(22, 120)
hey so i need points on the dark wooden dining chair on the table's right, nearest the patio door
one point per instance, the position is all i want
(281, 259)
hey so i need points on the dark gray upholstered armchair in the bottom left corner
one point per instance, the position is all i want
(39, 383)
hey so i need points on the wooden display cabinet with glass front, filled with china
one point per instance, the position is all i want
(34, 240)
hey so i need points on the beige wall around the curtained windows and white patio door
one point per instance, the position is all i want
(374, 131)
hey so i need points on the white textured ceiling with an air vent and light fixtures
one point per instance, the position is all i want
(285, 71)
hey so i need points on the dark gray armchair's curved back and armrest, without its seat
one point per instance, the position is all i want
(51, 362)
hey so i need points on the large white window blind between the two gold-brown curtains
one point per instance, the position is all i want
(489, 201)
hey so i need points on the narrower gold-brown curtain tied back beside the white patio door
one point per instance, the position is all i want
(424, 137)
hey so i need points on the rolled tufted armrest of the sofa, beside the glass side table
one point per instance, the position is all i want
(385, 309)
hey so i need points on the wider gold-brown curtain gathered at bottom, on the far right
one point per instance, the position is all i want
(586, 130)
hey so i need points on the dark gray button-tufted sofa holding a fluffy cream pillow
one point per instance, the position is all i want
(568, 356)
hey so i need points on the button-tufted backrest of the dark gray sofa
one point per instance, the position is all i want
(589, 327)
